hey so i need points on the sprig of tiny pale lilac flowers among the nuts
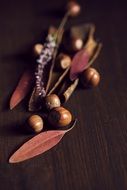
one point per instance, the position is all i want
(44, 58)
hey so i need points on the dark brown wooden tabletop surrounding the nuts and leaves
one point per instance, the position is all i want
(93, 156)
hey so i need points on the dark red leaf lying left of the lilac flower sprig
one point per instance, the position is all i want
(22, 89)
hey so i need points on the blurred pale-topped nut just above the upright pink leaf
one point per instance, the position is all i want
(76, 44)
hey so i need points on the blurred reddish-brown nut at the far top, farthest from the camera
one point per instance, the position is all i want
(73, 8)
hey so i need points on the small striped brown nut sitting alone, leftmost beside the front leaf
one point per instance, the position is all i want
(36, 123)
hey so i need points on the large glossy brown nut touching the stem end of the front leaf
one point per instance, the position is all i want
(59, 117)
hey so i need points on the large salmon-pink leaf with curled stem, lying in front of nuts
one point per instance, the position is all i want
(38, 144)
